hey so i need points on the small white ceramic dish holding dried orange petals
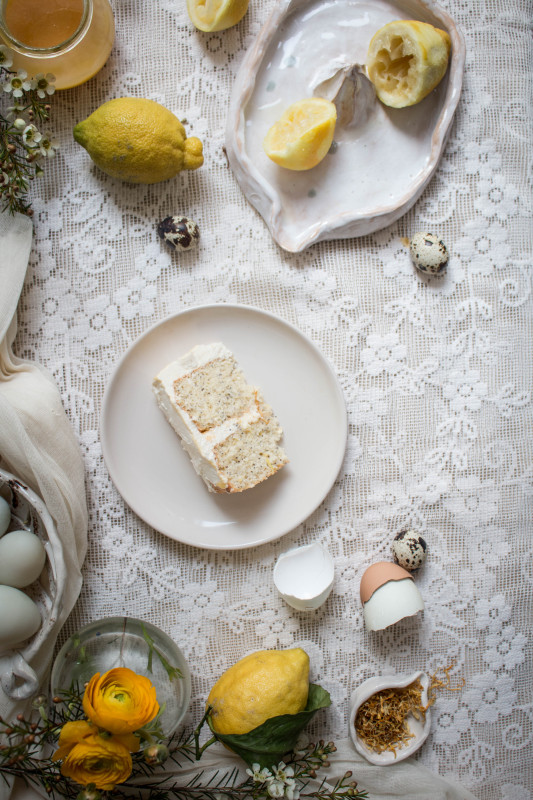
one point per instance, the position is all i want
(420, 728)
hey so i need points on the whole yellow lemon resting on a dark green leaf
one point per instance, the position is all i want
(261, 685)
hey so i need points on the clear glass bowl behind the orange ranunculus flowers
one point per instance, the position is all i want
(126, 642)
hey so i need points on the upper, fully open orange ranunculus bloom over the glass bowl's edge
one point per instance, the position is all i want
(120, 701)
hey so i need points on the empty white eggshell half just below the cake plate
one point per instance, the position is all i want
(304, 576)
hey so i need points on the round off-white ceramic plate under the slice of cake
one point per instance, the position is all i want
(154, 474)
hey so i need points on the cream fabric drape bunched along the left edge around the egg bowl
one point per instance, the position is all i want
(38, 446)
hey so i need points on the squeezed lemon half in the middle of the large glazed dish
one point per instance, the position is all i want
(303, 134)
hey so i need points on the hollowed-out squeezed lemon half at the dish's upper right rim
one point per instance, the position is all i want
(406, 60)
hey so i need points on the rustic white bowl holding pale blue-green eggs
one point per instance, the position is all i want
(28, 512)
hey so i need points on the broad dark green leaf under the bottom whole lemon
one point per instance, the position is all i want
(267, 744)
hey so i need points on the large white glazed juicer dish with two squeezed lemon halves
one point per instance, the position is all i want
(382, 158)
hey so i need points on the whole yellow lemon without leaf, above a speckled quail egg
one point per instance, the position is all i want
(138, 141)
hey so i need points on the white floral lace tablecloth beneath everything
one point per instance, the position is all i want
(436, 373)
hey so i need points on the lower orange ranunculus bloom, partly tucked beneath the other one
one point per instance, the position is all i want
(97, 759)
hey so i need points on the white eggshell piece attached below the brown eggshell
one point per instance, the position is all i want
(391, 602)
